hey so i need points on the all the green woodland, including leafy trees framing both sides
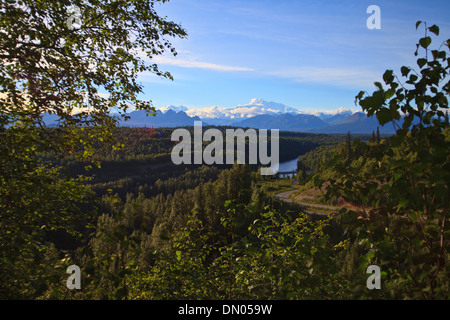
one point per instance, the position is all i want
(109, 200)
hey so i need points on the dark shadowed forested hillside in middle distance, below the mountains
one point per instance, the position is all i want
(143, 161)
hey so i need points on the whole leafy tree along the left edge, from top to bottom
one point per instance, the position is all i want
(78, 74)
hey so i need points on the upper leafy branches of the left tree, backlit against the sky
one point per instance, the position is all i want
(78, 73)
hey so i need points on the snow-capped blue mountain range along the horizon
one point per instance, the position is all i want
(258, 114)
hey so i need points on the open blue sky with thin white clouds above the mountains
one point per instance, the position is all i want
(310, 55)
